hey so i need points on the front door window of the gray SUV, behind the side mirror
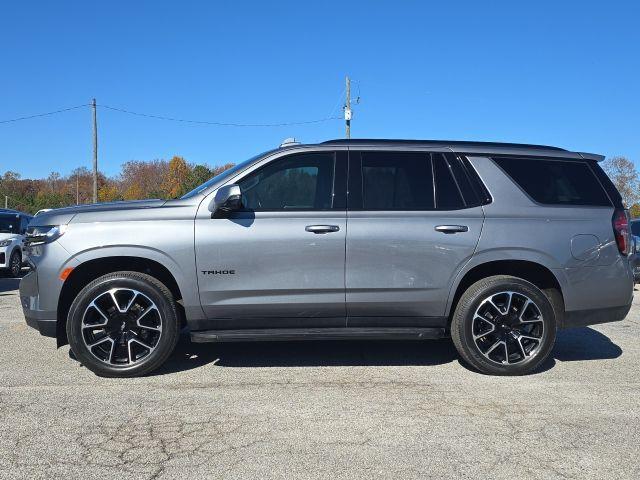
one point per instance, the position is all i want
(297, 182)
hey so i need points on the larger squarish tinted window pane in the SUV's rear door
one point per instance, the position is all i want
(396, 181)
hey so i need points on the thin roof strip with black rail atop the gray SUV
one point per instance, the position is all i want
(494, 148)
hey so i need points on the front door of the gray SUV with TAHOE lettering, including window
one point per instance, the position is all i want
(280, 261)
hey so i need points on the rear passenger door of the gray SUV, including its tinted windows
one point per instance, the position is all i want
(413, 222)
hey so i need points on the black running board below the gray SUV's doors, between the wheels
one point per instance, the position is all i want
(288, 334)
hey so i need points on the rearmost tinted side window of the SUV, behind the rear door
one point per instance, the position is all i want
(556, 182)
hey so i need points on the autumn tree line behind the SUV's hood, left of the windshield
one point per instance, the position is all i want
(137, 180)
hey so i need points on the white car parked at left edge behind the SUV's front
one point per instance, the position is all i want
(13, 225)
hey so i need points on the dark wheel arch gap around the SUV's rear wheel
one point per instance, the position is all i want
(531, 271)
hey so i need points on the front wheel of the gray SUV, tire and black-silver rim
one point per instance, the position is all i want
(123, 324)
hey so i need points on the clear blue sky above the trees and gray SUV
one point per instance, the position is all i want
(558, 73)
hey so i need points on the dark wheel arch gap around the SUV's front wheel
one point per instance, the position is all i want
(89, 270)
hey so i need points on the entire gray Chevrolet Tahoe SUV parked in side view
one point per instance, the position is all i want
(495, 245)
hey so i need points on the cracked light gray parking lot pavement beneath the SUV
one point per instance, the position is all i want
(320, 410)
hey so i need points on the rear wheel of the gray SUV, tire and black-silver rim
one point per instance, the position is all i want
(504, 325)
